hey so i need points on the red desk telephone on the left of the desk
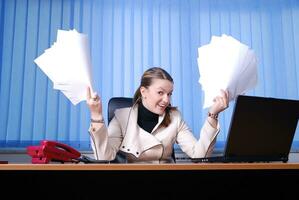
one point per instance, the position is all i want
(52, 151)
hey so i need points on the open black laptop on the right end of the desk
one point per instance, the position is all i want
(261, 130)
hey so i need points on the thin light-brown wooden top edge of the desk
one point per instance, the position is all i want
(154, 167)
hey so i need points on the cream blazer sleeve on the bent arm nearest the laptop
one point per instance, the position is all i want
(194, 148)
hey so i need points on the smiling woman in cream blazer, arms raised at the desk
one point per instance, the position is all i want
(147, 131)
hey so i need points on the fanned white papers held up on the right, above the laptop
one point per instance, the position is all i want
(226, 64)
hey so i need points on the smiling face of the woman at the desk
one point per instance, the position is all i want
(157, 96)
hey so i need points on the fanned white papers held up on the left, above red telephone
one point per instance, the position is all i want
(68, 64)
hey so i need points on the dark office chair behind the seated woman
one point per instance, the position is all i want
(122, 102)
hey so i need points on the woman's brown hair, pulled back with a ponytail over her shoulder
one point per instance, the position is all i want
(146, 80)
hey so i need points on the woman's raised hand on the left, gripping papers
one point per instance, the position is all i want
(94, 103)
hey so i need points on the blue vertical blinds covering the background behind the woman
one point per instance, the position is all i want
(127, 37)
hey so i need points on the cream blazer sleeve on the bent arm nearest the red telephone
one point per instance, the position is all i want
(105, 141)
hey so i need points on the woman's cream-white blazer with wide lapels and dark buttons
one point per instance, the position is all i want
(124, 134)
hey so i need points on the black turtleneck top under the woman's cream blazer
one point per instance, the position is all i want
(147, 120)
